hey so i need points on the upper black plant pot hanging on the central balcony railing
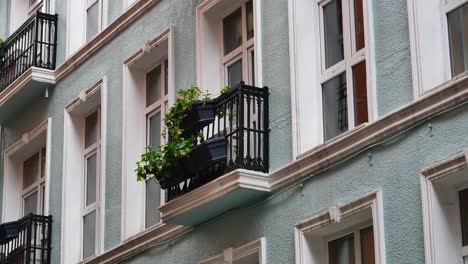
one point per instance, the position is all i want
(200, 115)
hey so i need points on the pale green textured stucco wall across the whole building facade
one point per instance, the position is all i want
(395, 168)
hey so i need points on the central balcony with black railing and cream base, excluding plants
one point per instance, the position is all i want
(238, 172)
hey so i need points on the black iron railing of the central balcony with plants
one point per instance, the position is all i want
(241, 117)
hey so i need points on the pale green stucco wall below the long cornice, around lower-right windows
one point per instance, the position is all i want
(394, 170)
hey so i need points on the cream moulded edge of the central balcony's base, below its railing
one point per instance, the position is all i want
(214, 190)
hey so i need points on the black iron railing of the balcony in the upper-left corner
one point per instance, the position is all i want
(33, 44)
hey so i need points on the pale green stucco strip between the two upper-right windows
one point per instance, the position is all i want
(392, 55)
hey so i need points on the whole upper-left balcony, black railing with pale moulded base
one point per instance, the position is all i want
(27, 61)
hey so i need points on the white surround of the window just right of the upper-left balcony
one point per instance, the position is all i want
(76, 23)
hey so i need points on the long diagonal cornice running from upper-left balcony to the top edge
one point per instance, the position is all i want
(109, 33)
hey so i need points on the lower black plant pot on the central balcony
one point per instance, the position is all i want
(208, 153)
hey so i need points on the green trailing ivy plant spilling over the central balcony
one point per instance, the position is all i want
(162, 162)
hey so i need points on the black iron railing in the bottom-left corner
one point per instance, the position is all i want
(27, 240)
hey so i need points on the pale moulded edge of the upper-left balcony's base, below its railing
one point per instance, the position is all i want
(32, 74)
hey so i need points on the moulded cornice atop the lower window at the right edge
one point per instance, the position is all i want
(445, 167)
